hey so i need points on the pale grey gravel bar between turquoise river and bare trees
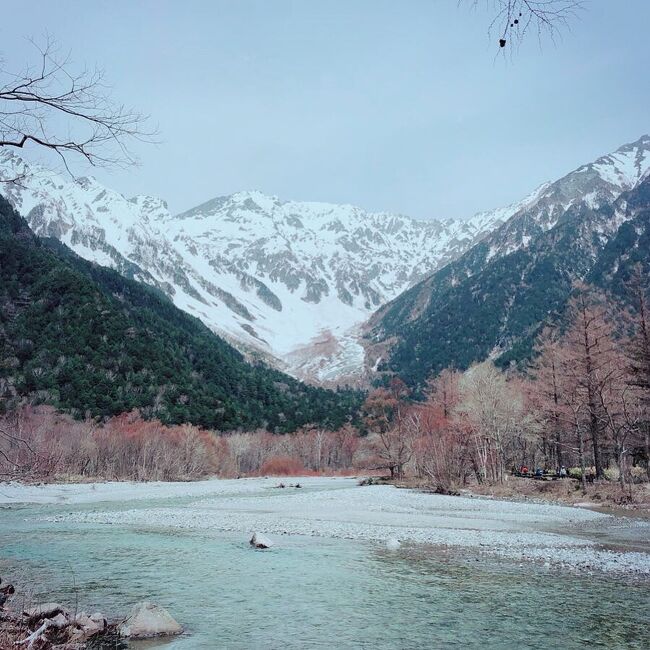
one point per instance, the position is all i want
(336, 507)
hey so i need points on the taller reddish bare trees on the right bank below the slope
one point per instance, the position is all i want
(583, 404)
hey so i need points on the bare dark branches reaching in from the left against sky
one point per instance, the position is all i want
(51, 105)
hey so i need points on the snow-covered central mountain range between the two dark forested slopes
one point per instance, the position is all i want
(288, 279)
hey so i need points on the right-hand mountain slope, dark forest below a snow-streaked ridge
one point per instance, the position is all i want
(492, 301)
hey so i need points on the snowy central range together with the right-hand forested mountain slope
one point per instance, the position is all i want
(331, 293)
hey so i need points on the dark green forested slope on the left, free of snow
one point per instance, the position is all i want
(86, 339)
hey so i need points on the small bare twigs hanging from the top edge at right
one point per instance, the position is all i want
(516, 19)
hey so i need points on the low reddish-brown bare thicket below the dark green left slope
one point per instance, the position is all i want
(39, 443)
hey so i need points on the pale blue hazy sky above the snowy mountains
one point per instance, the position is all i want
(390, 105)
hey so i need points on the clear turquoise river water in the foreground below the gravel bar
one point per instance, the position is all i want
(319, 593)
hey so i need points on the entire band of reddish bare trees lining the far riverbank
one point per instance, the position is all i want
(579, 413)
